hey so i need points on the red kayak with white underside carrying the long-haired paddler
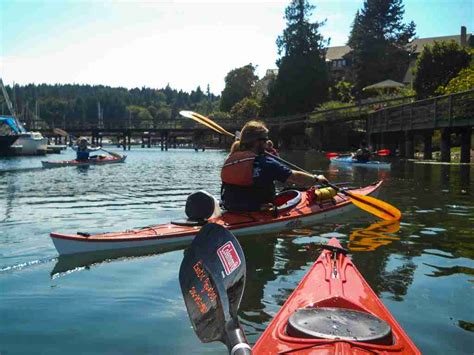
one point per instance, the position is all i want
(303, 214)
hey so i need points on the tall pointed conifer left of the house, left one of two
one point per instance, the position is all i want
(302, 80)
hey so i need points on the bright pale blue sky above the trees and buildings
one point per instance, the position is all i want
(182, 43)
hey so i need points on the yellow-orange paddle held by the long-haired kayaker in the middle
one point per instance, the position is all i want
(369, 204)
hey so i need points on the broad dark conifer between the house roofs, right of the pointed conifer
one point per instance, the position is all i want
(379, 40)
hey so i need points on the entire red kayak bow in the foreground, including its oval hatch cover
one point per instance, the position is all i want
(334, 311)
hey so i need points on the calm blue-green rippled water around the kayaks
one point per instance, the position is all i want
(424, 273)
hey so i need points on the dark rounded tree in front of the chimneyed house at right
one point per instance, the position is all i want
(437, 65)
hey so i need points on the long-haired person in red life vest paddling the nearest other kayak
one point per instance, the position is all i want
(248, 175)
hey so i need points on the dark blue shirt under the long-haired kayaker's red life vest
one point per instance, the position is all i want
(266, 171)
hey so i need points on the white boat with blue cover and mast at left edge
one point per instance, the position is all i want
(27, 143)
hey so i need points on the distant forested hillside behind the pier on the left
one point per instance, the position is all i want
(76, 105)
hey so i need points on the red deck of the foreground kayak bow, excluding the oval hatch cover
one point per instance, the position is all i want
(346, 290)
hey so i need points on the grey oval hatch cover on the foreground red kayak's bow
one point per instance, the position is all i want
(339, 323)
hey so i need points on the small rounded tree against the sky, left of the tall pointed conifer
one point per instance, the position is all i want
(239, 84)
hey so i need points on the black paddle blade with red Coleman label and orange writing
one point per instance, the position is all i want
(212, 279)
